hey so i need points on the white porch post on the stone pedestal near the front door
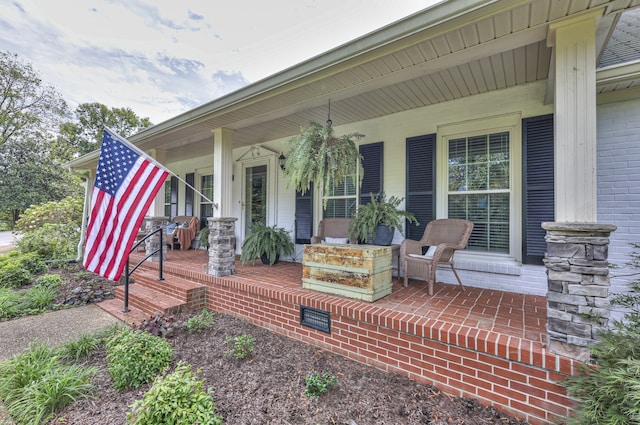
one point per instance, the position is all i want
(222, 171)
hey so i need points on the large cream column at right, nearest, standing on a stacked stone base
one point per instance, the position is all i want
(574, 52)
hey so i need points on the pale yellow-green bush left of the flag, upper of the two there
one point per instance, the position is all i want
(67, 210)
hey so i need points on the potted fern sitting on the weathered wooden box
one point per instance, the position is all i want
(376, 221)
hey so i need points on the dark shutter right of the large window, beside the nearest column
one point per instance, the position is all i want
(537, 181)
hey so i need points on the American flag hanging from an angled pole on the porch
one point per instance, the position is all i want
(126, 183)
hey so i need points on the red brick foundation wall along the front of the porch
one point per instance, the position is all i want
(517, 376)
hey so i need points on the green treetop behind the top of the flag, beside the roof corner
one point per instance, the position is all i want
(84, 134)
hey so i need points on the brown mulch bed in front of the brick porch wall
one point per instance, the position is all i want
(267, 388)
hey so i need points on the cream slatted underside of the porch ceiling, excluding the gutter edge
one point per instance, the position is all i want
(501, 51)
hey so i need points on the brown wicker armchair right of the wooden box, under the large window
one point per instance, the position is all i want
(444, 237)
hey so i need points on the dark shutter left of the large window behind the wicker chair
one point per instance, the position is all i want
(421, 178)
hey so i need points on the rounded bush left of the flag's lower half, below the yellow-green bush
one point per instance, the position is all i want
(58, 241)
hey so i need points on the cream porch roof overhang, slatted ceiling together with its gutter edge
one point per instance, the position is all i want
(433, 56)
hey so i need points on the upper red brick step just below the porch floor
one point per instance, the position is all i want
(191, 293)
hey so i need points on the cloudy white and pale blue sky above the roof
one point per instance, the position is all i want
(164, 57)
